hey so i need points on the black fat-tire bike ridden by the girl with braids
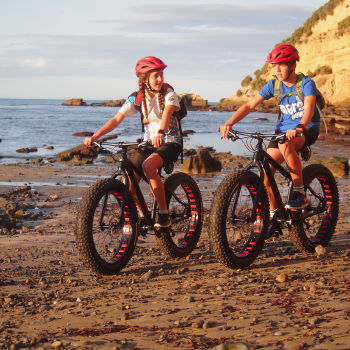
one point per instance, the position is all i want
(108, 224)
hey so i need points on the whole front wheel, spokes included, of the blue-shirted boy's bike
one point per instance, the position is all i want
(238, 228)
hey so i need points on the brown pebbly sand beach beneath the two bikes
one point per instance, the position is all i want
(49, 299)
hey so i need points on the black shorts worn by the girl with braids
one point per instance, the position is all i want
(169, 152)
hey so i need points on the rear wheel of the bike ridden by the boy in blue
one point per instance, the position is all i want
(316, 224)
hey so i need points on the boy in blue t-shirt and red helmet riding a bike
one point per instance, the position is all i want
(297, 116)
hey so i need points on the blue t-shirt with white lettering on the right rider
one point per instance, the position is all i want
(292, 107)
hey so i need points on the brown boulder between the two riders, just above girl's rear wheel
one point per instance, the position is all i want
(200, 163)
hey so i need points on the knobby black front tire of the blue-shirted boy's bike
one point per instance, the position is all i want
(256, 230)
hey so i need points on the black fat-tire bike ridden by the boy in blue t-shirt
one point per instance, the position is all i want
(239, 215)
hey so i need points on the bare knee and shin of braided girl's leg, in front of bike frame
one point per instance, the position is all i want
(150, 167)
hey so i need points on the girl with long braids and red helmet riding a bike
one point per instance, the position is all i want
(161, 129)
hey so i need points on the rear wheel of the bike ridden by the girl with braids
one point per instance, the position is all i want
(186, 212)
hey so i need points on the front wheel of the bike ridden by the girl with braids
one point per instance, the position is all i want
(106, 230)
